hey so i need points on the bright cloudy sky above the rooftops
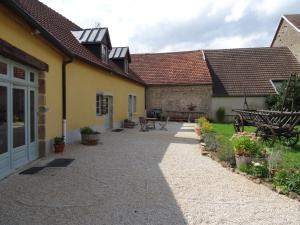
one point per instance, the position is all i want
(172, 25)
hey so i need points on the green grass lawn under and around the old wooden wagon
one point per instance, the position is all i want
(291, 159)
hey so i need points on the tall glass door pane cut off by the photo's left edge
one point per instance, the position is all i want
(3, 120)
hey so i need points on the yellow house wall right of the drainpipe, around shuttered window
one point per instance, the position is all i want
(84, 82)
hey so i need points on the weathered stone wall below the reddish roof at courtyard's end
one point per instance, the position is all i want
(177, 98)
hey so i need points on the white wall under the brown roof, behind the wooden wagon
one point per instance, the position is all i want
(230, 103)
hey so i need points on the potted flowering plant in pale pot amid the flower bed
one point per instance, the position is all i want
(245, 148)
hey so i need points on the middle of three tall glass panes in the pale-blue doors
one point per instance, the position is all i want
(18, 117)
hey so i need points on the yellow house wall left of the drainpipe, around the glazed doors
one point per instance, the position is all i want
(18, 34)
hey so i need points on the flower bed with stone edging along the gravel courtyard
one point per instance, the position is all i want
(244, 153)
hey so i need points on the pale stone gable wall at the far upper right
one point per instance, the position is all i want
(289, 37)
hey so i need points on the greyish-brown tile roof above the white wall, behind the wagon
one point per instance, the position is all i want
(236, 72)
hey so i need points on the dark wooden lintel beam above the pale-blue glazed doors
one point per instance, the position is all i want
(13, 53)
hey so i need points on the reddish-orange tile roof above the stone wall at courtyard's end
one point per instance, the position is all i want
(171, 68)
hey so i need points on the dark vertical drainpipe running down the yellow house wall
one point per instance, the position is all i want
(64, 97)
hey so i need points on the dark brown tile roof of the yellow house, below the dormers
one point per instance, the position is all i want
(59, 28)
